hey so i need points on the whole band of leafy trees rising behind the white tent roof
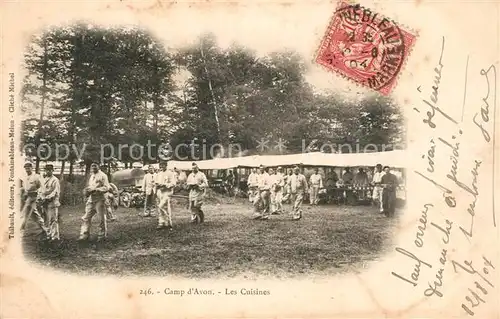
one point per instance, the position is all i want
(117, 86)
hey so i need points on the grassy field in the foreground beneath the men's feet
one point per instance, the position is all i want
(327, 240)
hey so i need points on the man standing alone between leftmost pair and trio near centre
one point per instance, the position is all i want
(97, 187)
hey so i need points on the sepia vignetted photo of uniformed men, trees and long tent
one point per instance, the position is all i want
(201, 160)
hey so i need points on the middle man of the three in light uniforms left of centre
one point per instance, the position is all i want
(165, 183)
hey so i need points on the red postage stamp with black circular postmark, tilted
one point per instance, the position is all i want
(365, 46)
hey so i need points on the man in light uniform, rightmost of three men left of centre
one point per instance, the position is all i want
(197, 183)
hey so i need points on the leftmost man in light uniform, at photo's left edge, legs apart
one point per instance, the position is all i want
(29, 190)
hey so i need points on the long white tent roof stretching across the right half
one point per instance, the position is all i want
(391, 158)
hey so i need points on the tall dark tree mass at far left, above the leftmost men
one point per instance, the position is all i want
(100, 79)
